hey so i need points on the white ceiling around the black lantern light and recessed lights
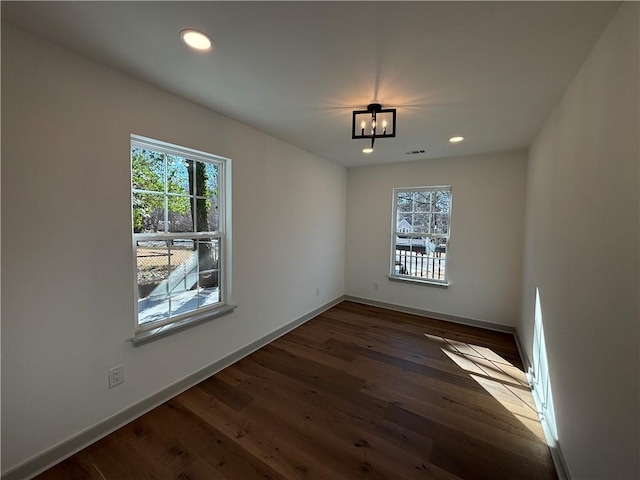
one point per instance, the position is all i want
(490, 71)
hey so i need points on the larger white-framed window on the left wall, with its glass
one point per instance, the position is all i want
(178, 206)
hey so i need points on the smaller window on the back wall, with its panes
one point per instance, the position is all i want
(420, 236)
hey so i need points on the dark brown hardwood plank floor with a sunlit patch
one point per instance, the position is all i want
(357, 392)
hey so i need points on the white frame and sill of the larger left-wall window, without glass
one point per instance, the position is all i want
(144, 332)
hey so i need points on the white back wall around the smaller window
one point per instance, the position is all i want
(486, 235)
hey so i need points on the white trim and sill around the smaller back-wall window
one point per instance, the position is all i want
(397, 277)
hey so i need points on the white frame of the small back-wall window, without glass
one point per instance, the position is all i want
(393, 274)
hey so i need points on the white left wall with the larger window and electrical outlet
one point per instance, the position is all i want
(68, 305)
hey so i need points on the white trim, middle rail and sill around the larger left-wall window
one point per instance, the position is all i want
(154, 330)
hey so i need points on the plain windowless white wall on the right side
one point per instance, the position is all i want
(582, 253)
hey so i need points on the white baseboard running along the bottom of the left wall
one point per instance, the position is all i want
(65, 449)
